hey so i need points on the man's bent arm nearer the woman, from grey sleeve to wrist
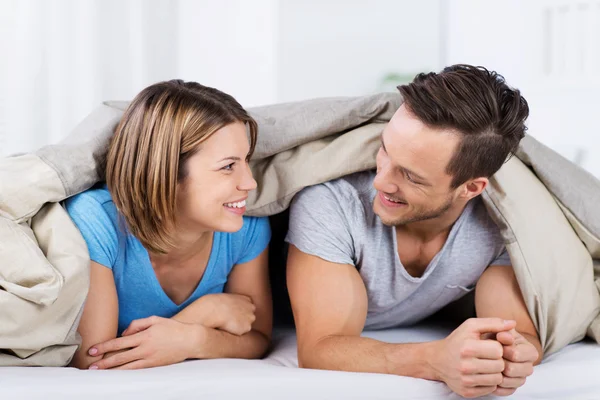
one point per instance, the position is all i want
(329, 302)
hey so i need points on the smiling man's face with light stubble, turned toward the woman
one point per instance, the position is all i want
(412, 182)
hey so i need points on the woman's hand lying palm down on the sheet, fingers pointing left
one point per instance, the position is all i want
(148, 342)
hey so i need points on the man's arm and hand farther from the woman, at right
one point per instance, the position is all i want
(498, 295)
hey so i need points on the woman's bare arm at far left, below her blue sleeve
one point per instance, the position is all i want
(99, 321)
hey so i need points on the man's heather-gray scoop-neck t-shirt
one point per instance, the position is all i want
(335, 221)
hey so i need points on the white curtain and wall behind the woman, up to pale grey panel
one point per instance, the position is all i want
(62, 58)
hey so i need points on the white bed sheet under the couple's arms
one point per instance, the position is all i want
(573, 373)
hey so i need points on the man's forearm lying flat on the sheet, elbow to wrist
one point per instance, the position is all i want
(359, 354)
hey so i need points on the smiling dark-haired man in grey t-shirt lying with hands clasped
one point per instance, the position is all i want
(389, 248)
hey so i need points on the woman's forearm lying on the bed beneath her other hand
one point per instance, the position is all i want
(214, 343)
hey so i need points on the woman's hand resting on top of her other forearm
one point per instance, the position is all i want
(229, 312)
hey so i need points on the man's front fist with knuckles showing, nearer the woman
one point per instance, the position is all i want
(469, 365)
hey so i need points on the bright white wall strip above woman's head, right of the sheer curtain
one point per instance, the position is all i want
(230, 45)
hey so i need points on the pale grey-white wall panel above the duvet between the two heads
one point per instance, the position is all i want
(346, 47)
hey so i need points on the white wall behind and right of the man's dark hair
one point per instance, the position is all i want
(550, 49)
